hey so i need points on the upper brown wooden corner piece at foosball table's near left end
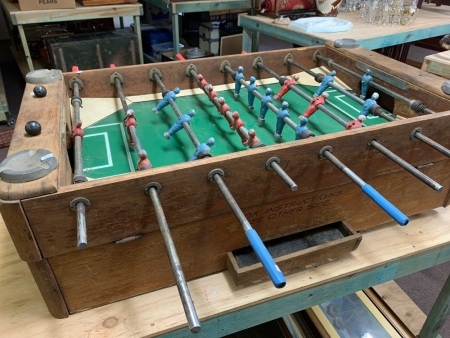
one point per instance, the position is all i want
(20, 231)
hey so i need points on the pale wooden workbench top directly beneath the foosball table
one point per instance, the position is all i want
(388, 247)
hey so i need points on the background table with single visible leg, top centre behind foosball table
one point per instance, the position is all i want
(175, 7)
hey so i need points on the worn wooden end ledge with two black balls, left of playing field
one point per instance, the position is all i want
(50, 111)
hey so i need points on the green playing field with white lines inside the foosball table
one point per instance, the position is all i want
(105, 145)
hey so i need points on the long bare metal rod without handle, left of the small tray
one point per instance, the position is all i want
(183, 289)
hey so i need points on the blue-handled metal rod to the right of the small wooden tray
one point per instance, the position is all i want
(373, 194)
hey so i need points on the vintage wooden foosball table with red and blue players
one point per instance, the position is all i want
(225, 159)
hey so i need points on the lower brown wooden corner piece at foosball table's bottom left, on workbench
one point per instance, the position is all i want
(49, 288)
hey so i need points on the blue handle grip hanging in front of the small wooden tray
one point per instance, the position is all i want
(266, 259)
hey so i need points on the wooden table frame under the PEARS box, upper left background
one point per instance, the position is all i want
(21, 18)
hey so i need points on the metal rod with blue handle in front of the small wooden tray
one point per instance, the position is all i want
(257, 244)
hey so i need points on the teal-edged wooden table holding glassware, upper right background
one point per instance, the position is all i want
(431, 21)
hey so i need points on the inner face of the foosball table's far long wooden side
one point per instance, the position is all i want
(136, 78)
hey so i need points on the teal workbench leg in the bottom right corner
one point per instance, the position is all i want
(438, 314)
